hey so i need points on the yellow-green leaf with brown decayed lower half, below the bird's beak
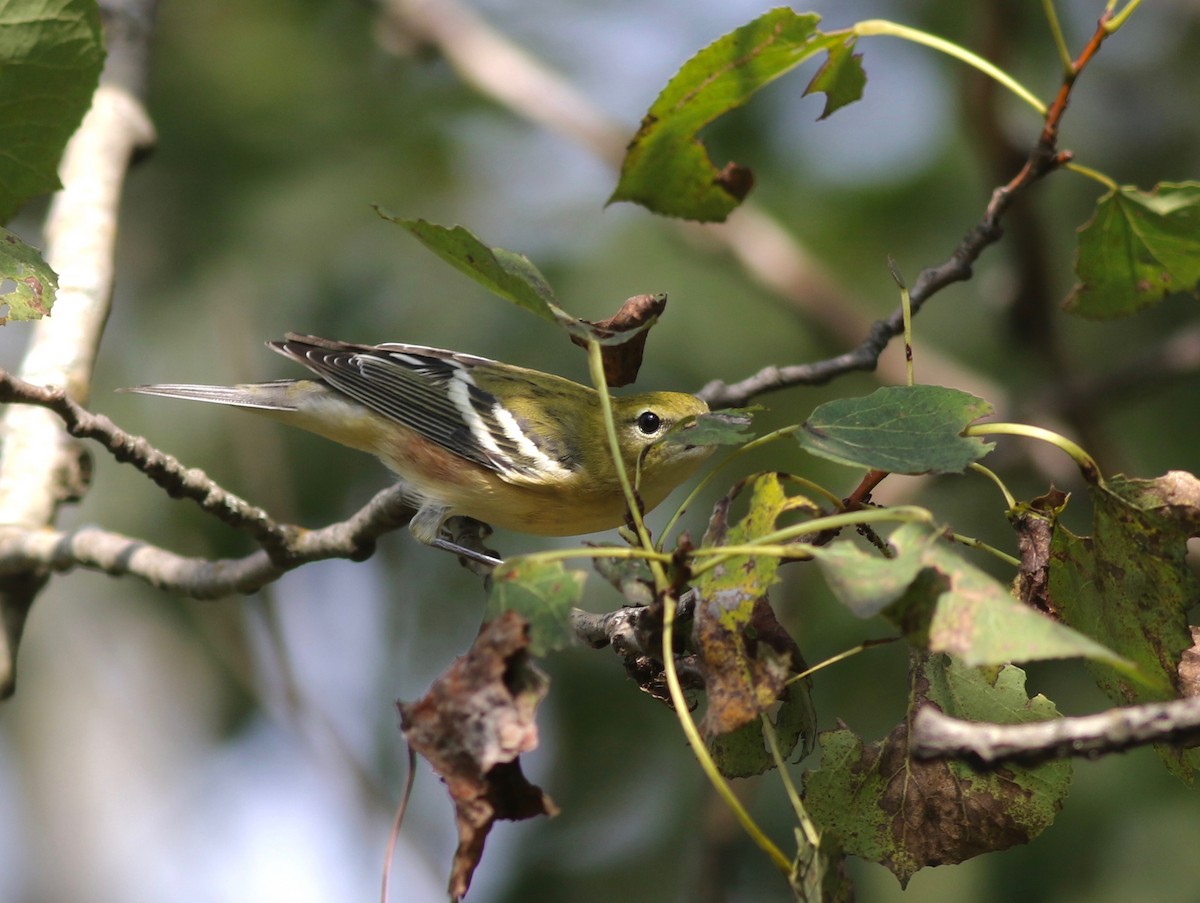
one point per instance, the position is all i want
(746, 654)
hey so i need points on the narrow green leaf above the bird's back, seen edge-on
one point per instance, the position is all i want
(511, 276)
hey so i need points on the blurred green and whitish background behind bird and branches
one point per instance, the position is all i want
(248, 750)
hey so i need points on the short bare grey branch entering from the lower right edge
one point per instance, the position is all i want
(937, 735)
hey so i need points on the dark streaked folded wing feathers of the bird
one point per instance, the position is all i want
(411, 385)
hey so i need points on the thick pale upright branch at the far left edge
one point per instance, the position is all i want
(40, 468)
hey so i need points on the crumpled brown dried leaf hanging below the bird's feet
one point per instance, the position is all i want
(472, 727)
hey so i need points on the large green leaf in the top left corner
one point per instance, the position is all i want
(51, 55)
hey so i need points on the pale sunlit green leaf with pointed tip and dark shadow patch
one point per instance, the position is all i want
(947, 605)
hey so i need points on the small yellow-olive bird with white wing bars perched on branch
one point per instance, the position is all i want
(512, 447)
